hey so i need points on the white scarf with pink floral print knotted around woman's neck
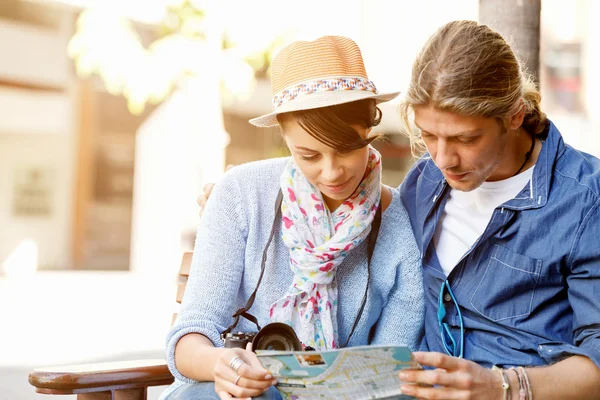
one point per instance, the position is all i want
(318, 241)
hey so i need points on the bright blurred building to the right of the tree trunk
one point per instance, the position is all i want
(570, 56)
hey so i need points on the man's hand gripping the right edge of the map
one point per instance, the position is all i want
(453, 378)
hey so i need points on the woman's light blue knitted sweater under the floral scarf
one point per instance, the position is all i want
(233, 232)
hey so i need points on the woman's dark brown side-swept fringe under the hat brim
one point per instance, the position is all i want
(332, 125)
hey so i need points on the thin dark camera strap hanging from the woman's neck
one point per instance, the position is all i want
(243, 312)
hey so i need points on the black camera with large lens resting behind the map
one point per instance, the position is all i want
(274, 336)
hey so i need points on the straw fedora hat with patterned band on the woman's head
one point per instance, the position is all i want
(324, 72)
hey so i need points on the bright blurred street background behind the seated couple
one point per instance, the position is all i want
(113, 114)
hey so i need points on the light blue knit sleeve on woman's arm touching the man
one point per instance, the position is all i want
(401, 321)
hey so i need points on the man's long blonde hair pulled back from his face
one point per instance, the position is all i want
(469, 69)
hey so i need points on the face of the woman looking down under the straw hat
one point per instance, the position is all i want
(336, 174)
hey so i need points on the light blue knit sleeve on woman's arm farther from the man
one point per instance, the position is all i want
(216, 270)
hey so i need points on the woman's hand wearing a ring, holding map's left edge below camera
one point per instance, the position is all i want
(253, 378)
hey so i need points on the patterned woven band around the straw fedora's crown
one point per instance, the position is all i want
(323, 85)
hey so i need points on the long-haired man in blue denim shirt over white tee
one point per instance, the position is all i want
(507, 218)
